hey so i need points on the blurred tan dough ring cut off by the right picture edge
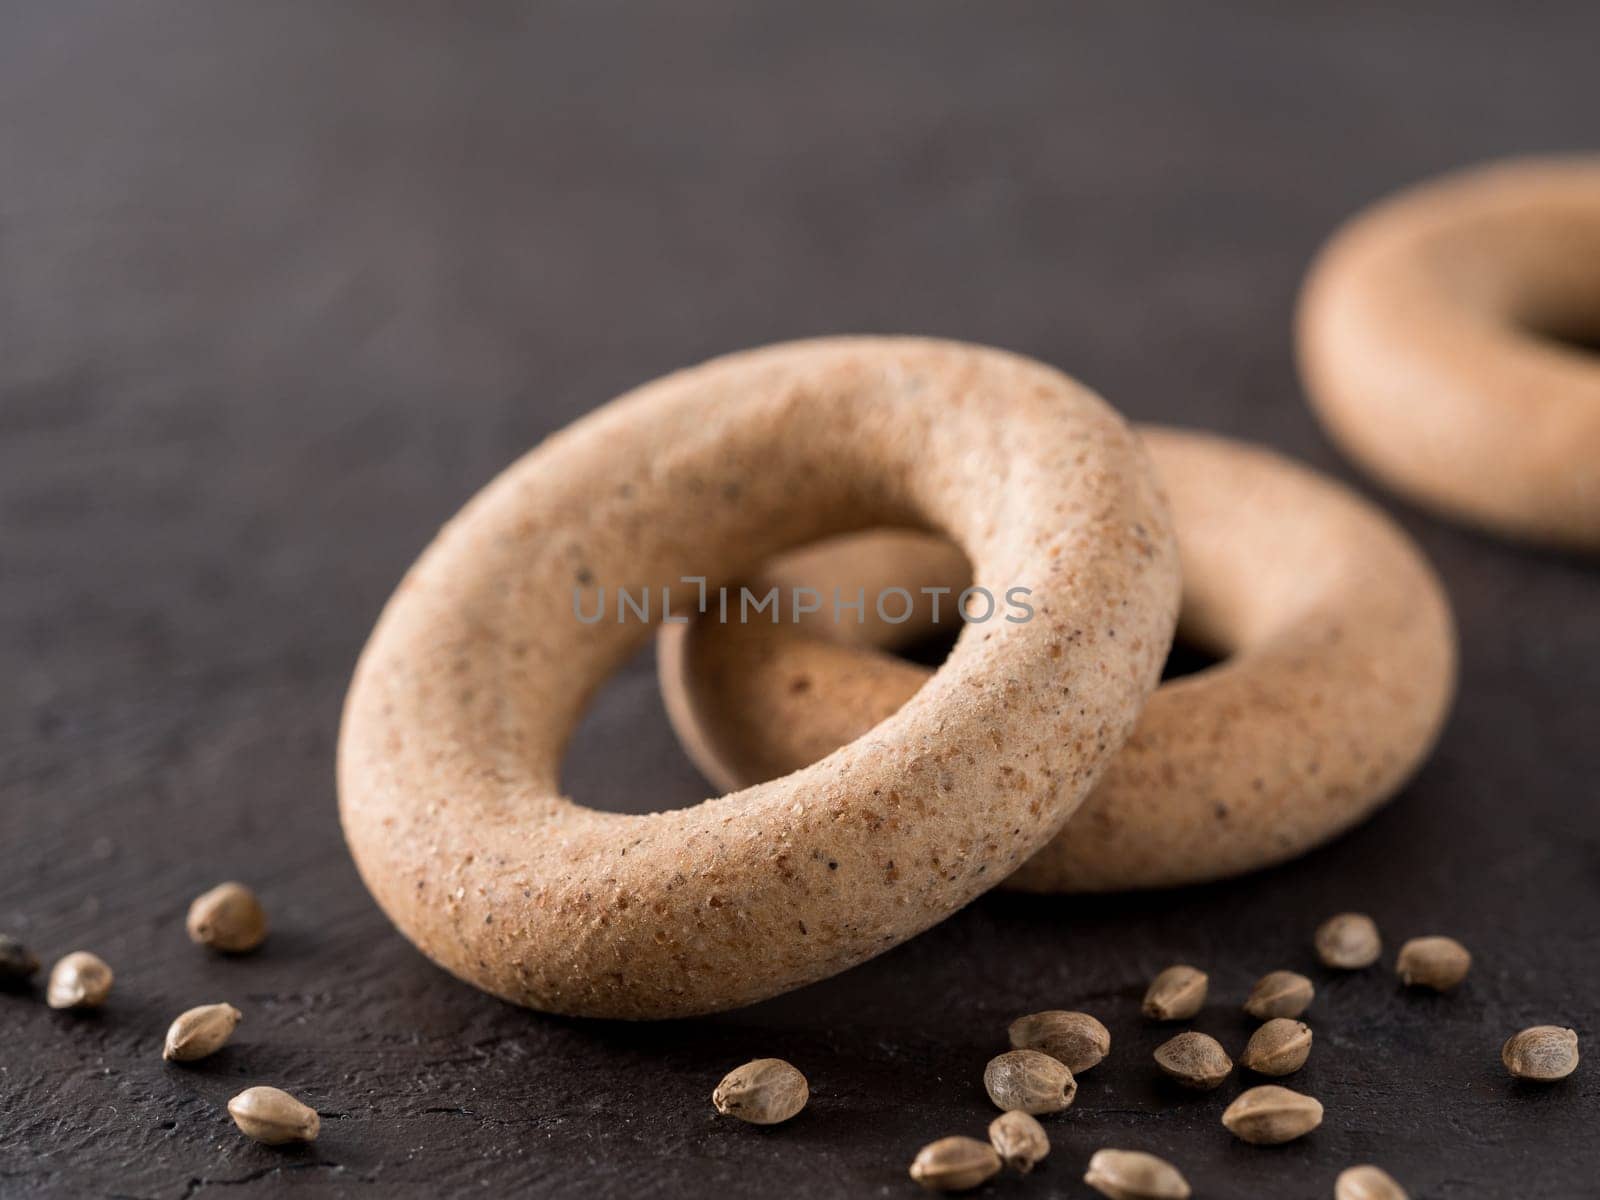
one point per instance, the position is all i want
(1431, 343)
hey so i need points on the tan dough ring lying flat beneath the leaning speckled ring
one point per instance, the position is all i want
(1340, 670)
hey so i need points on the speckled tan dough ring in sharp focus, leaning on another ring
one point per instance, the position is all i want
(479, 670)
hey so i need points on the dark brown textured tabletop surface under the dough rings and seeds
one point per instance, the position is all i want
(282, 286)
